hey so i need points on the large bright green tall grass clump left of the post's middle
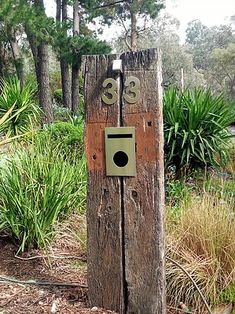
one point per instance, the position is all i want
(37, 189)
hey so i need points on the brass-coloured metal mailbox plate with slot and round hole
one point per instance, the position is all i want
(120, 151)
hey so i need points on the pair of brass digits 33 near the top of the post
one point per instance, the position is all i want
(131, 94)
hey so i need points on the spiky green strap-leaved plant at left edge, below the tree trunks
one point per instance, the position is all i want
(21, 105)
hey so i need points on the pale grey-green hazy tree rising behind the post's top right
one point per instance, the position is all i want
(162, 34)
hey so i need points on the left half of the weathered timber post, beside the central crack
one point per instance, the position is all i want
(105, 270)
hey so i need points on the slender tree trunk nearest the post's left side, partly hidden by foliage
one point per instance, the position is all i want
(75, 67)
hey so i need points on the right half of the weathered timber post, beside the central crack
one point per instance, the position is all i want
(144, 194)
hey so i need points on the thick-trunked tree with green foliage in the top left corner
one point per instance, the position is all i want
(29, 16)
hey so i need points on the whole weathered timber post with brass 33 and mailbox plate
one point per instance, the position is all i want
(125, 205)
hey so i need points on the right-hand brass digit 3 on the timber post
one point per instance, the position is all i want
(132, 94)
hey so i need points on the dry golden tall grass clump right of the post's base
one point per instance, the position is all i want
(202, 242)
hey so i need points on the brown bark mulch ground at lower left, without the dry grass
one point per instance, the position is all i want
(18, 298)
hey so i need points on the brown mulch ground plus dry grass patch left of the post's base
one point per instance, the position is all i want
(66, 263)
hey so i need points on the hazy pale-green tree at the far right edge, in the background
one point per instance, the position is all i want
(212, 49)
